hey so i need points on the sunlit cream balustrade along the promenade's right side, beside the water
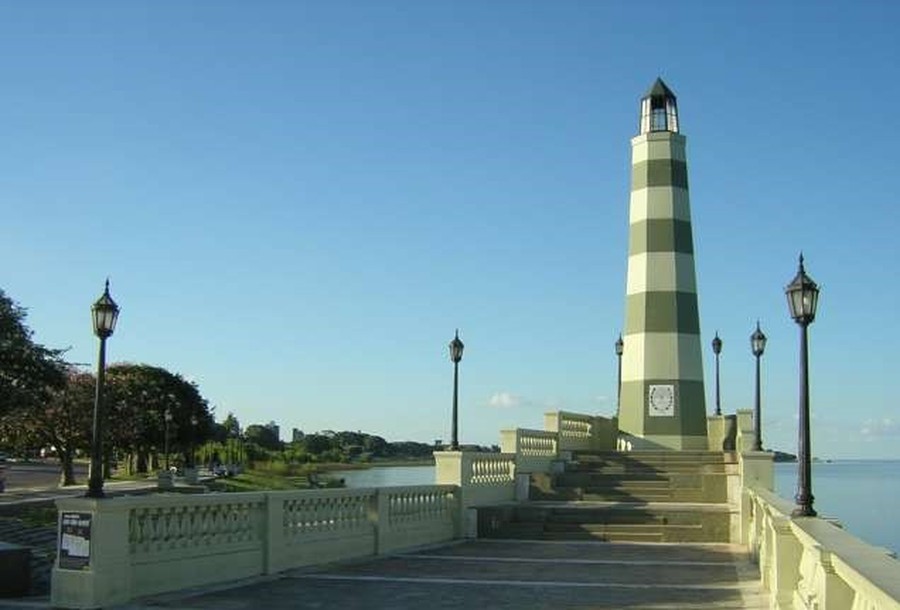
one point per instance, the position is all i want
(810, 563)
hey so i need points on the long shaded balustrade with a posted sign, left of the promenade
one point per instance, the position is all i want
(136, 546)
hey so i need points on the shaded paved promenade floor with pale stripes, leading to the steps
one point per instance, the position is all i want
(503, 574)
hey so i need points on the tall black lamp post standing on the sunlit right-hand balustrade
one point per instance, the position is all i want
(803, 296)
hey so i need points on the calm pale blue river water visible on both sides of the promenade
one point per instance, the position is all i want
(864, 495)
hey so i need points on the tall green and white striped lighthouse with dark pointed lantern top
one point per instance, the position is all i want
(663, 403)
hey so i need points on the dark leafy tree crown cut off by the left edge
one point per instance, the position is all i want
(29, 372)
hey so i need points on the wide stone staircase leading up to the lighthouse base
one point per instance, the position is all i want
(650, 496)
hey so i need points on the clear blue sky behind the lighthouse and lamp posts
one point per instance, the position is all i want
(298, 202)
